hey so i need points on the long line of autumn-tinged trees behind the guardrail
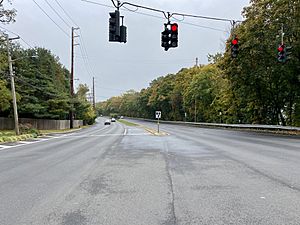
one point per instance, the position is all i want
(253, 88)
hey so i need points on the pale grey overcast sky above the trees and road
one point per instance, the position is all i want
(119, 67)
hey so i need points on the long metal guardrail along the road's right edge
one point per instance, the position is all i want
(232, 126)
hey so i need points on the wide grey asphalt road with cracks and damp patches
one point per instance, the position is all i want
(121, 175)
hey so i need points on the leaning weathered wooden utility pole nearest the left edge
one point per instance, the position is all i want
(13, 90)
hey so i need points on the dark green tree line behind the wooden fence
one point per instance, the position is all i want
(42, 86)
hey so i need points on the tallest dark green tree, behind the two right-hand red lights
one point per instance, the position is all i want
(265, 91)
